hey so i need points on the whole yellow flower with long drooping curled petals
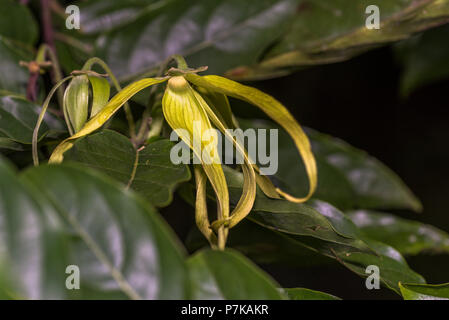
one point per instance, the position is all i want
(193, 104)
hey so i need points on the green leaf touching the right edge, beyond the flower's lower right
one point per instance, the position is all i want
(407, 236)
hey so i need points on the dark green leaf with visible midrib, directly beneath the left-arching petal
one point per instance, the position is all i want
(149, 171)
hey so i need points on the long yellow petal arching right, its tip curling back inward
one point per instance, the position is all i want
(275, 110)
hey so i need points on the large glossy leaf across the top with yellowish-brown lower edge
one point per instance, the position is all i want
(247, 39)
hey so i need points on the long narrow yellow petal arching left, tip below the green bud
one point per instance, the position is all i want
(104, 115)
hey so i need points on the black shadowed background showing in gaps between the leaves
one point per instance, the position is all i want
(359, 102)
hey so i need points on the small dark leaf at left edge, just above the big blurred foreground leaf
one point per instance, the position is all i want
(18, 118)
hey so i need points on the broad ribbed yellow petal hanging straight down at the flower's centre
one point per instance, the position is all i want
(188, 119)
